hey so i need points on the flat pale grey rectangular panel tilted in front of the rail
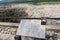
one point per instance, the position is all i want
(31, 28)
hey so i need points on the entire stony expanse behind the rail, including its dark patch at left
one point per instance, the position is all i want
(28, 10)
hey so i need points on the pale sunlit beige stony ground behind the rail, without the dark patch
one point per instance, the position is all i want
(52, 11)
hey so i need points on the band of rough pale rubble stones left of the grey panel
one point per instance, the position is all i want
(8, 30)
